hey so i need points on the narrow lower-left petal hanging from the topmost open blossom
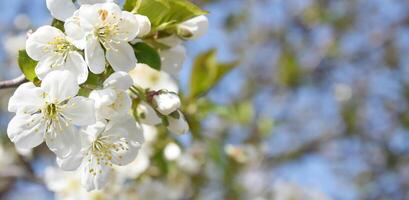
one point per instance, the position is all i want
(94, 55)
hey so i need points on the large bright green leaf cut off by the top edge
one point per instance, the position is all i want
(166, 13)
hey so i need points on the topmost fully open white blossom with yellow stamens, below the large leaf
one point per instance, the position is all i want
(105, 32)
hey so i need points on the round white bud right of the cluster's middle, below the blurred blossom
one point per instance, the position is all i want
(166, 102)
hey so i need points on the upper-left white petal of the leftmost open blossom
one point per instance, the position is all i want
(26, 98)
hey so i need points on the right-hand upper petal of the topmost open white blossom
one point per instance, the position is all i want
(128, 28)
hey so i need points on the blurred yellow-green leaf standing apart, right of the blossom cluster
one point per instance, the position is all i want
(207, 72)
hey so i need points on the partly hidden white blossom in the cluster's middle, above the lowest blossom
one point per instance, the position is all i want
(113, 101)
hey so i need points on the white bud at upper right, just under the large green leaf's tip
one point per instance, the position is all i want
(193, 28)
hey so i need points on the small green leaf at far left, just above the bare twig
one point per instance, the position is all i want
(27, 66)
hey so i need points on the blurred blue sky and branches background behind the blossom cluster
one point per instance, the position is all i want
(317, 107)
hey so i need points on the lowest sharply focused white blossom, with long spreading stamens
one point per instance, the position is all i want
(105, 144)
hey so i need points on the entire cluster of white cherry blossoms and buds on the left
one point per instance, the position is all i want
(97, 130)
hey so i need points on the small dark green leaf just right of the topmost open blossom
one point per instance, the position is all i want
(147, 55)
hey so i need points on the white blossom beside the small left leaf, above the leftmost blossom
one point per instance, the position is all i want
(55, 51)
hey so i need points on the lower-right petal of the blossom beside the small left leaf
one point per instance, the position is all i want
(76, 64)
